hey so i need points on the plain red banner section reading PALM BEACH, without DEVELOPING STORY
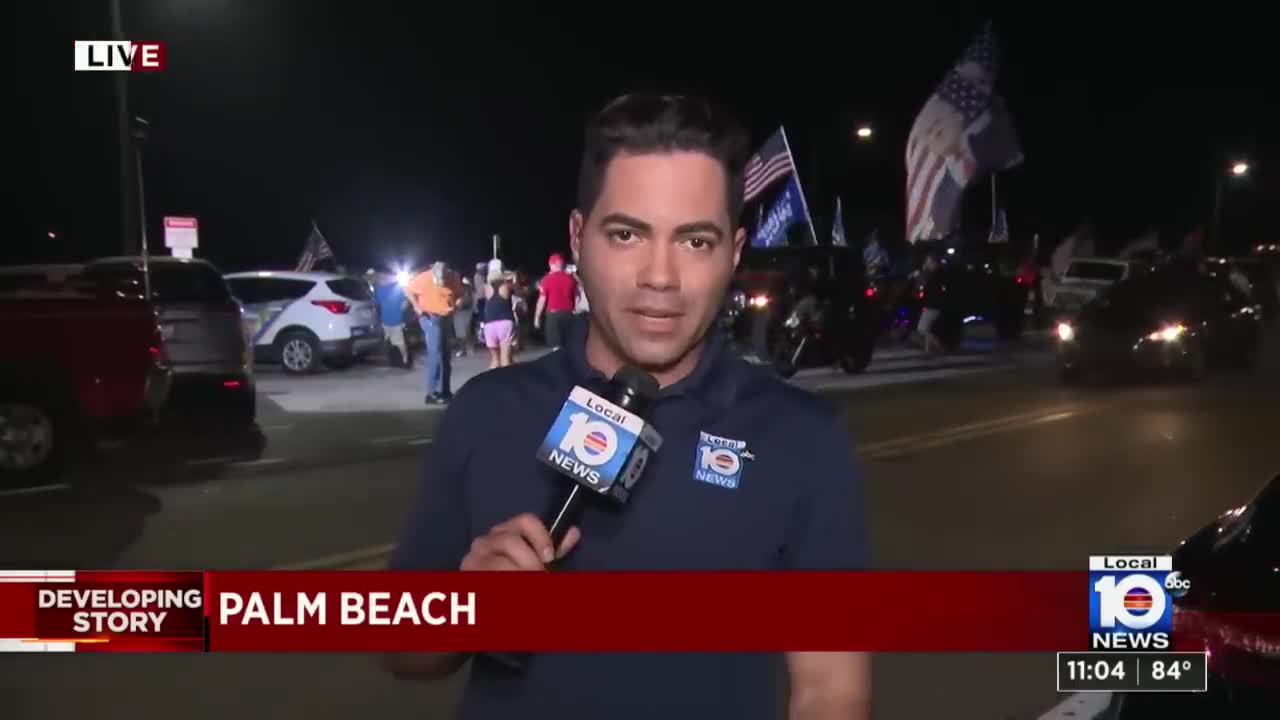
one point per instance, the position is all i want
(647, 612)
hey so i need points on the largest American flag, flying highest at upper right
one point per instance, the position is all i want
(963, 130)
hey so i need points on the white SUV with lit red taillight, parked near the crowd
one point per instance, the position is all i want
(301, 320)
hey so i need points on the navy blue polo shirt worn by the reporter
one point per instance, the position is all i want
(798, 504)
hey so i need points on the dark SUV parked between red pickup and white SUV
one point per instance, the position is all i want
(202, 325)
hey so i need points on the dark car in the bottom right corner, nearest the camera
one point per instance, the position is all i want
(1232, 613)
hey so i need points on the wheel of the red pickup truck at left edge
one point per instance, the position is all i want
(35, 439)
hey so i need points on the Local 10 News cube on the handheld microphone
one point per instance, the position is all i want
(597, 444)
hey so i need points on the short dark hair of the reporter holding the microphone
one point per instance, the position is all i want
(646, 124)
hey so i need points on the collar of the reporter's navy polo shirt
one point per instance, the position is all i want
(711, 384)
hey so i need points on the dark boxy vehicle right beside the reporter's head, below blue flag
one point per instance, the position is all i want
(803, 307)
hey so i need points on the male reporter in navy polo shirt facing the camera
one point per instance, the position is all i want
(656, 239)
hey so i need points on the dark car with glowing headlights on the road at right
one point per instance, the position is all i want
(1174, 321)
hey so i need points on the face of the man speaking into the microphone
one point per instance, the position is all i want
(657, 254)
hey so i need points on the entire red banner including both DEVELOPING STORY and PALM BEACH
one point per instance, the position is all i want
(380, 612)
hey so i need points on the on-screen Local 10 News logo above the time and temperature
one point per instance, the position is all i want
(1131, 601)
